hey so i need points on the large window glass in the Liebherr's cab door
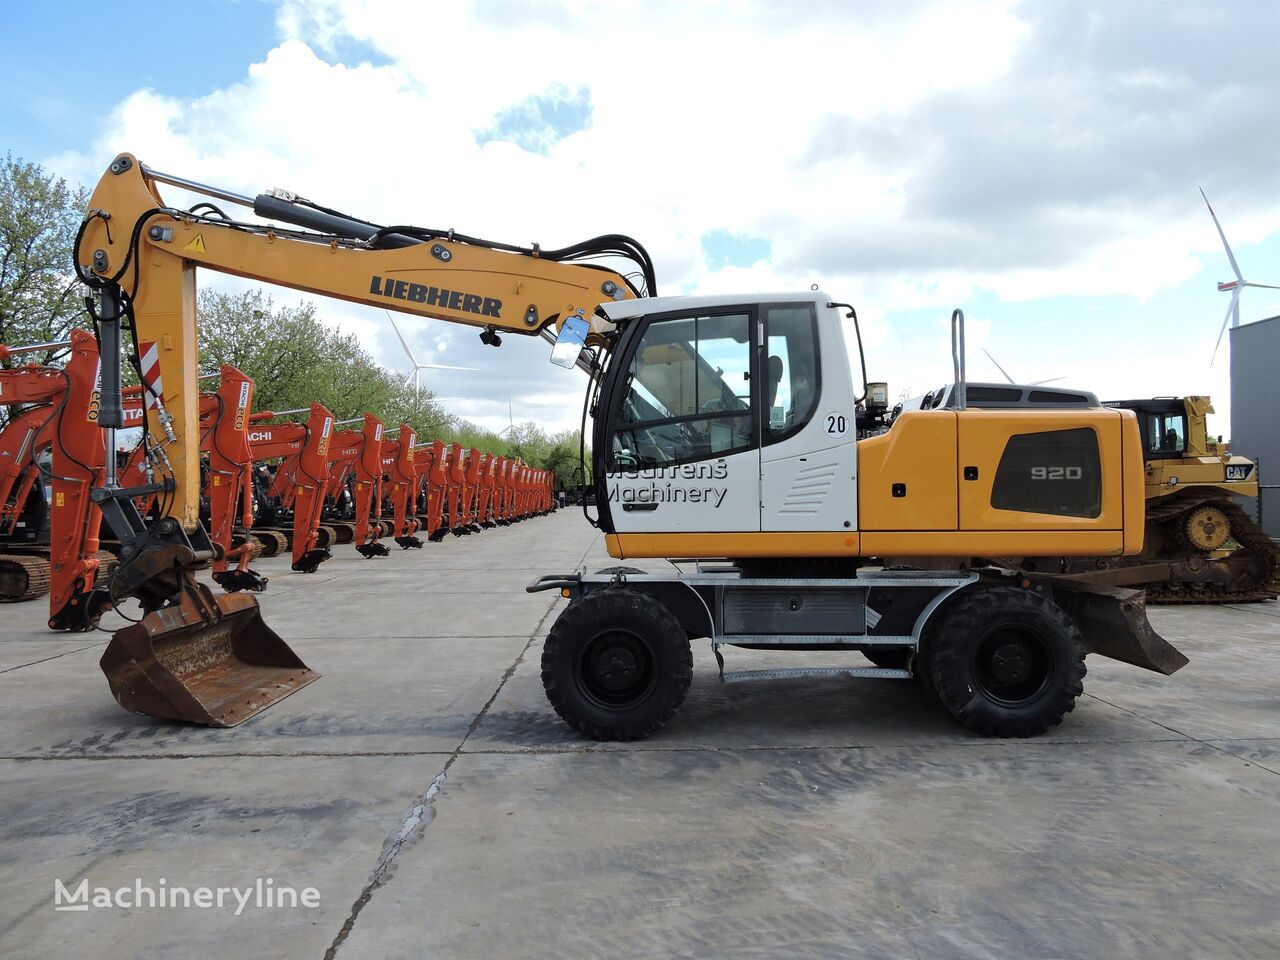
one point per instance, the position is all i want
(688, 394)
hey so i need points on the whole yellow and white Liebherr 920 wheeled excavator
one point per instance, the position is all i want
(724, 441)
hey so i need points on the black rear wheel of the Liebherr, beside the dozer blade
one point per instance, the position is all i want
(1005, 662)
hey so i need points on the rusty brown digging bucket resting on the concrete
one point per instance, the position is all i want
(208, 660)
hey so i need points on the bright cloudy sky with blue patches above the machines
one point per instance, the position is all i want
(1034, 163)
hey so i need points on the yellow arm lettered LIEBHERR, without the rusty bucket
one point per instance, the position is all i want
(144, 255)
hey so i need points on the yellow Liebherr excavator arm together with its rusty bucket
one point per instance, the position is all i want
(213, 660)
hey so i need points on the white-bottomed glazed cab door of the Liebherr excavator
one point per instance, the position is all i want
(683, 432)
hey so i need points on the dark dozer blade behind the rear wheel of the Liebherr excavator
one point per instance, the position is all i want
(1114, 624)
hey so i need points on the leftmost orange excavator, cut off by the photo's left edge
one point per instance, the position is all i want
(65, 420)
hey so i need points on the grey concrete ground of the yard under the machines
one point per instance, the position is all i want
(426, 789)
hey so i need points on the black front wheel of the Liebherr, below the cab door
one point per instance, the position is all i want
(606, 629)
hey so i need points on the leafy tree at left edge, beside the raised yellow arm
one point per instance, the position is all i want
(40, 298)
